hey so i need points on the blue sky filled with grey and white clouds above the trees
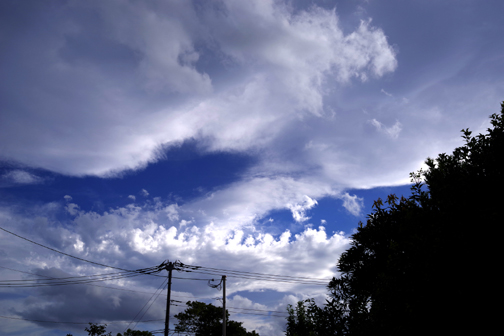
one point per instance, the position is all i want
(239, 136)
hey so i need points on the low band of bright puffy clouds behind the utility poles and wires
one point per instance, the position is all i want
(142, 236)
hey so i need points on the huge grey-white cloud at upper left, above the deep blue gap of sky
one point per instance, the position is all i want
(282, 59)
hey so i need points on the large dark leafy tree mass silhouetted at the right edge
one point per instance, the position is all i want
(425, 264)
